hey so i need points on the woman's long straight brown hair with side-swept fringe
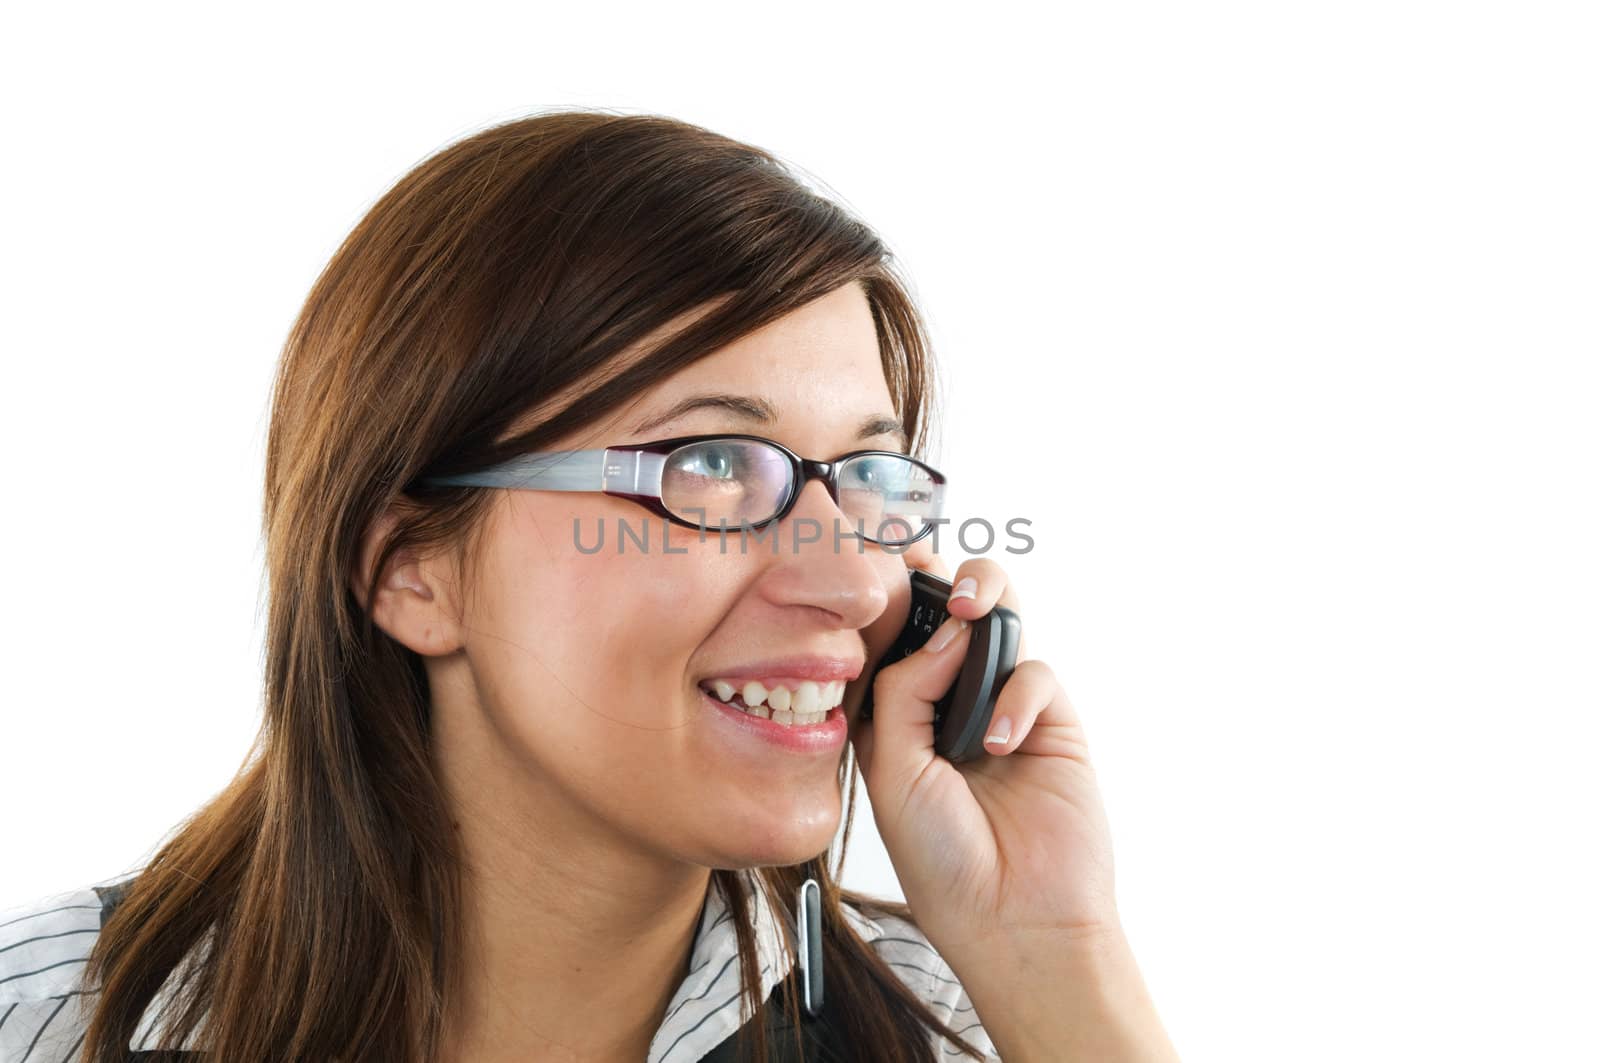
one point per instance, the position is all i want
(503, 270)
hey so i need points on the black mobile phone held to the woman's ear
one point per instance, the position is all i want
(961, 718)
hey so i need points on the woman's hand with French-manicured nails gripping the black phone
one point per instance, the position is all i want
(1010, 844)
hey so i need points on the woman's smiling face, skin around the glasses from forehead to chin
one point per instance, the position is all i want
(590, 670)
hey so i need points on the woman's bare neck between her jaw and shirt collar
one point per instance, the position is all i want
(575, 937)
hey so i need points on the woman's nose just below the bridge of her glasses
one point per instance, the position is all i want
(814, 568)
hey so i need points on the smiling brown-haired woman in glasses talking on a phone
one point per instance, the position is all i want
(519, 796)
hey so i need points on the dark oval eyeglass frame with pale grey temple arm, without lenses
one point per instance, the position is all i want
(633, 471)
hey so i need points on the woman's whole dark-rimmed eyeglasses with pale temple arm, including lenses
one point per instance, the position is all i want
(734, 483)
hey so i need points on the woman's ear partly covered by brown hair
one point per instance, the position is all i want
(415, 600)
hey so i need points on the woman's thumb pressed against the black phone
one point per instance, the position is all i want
(900, 744)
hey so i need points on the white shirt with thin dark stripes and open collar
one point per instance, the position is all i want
(46, 945)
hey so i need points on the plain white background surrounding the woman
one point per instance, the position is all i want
(1279, 323)
